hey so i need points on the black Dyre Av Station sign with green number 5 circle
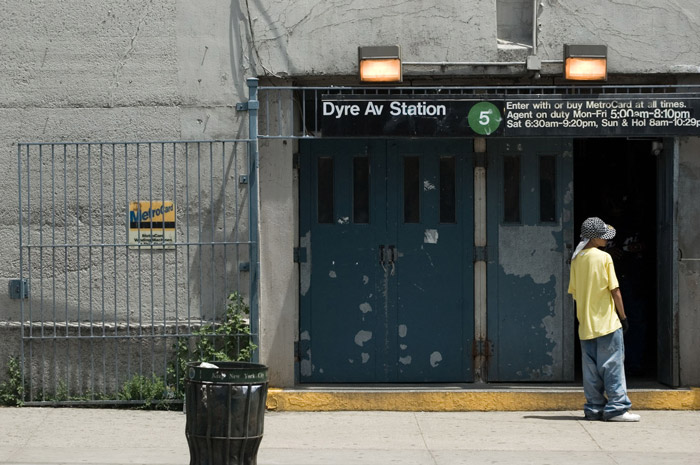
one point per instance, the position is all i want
(510, 116)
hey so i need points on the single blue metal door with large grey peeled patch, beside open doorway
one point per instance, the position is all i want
(530, 223)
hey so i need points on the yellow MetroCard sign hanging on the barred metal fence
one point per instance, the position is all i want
(152, 224)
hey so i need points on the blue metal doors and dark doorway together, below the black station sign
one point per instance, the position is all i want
(389, 285)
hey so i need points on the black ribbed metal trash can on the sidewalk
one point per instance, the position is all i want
(225, 409)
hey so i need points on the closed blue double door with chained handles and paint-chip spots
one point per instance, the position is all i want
(386, 281)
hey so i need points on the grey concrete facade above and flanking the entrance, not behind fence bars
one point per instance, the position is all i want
(162, 70)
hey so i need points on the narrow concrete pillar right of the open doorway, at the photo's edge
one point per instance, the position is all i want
(689, 266)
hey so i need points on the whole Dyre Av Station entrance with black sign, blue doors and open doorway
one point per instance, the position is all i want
(434, 246)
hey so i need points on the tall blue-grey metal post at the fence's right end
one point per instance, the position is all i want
(253, 159)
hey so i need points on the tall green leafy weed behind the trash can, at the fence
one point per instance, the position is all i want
(226, 340)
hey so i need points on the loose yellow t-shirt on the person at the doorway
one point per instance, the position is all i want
(592, 279)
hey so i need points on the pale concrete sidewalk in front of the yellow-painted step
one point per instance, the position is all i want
(107, 436)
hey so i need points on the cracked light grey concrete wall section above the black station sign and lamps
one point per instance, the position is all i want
(309, 37)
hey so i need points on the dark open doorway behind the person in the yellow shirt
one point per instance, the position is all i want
(625, 181)
